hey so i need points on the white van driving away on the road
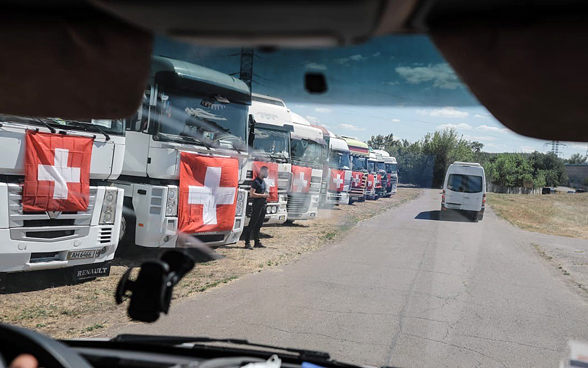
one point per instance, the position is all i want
(465, 189)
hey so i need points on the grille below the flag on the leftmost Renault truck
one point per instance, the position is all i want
(19, 219)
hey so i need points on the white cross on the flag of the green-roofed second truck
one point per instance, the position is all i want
(211, 195)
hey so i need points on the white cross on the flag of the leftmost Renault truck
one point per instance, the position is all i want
(59, 173)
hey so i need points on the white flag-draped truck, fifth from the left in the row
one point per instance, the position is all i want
(336, 170)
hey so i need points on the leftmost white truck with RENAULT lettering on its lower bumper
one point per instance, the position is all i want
(59, 216)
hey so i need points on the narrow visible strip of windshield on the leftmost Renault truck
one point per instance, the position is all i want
(94, 125)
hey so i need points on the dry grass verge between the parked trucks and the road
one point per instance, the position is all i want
(88, 309)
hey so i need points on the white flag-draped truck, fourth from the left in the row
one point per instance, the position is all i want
(306, 146)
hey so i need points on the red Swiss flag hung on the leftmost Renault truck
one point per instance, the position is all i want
(57, 172)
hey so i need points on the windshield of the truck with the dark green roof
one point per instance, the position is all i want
(198, 116)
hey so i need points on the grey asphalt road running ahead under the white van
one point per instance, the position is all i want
(403, 289)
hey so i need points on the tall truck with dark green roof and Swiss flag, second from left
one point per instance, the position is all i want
(185, 149)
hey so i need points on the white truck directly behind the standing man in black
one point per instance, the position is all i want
(271, 147)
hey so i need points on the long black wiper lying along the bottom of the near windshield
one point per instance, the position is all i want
(178, 340)
